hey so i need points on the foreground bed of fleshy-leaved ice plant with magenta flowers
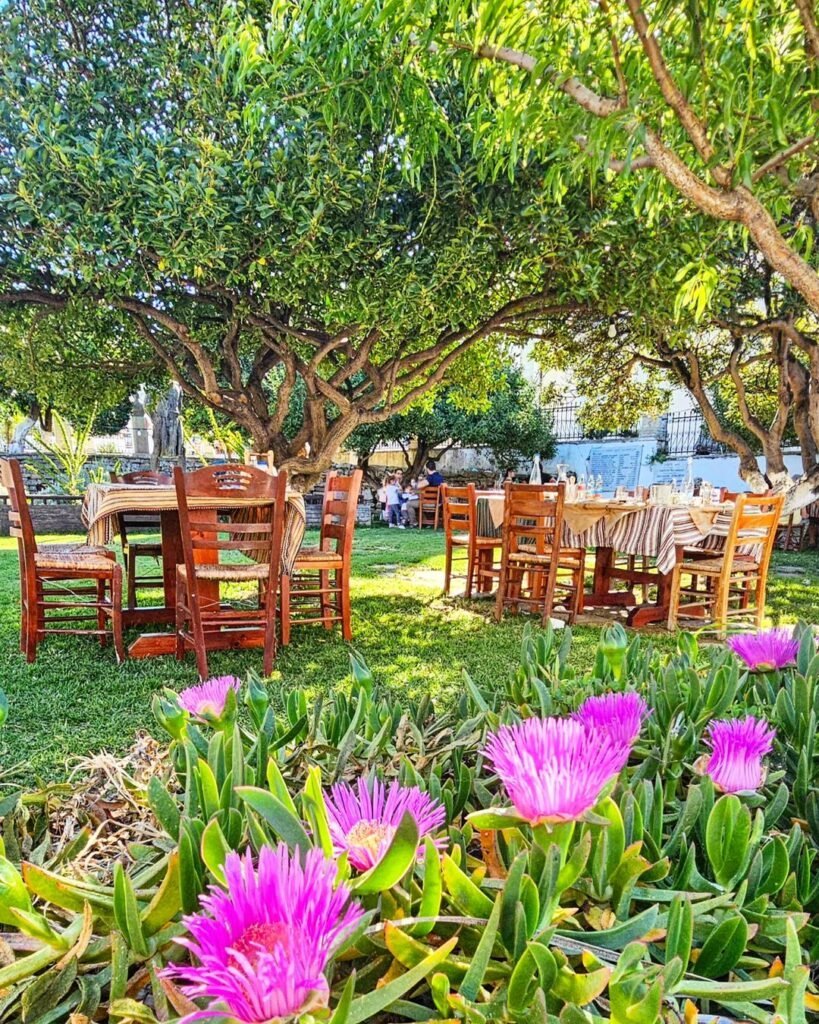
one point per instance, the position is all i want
(529, 856)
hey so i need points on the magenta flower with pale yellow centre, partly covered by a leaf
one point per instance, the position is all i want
(363, 821)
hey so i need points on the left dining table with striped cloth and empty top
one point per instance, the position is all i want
(104, 503)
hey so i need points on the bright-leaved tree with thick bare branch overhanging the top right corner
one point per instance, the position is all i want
(710, 103)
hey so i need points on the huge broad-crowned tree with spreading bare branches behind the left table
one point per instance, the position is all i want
(185, 187)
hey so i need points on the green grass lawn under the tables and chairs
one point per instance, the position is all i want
(75, 700)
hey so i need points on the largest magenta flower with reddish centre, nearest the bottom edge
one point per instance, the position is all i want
(263, 947)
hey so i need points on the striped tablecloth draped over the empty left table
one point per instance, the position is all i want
(104, 503)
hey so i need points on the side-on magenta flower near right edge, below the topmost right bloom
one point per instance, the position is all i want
(738, 747)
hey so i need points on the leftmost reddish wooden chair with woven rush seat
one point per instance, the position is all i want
(82, 583)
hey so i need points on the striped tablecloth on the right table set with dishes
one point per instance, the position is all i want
(656, 531)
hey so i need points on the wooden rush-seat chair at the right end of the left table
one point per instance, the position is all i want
(319, 589)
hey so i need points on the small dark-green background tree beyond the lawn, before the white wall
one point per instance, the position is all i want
(510, 424)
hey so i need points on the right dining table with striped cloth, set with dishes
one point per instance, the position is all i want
(653, 533)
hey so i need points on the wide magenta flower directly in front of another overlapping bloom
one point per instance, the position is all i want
(554, 770)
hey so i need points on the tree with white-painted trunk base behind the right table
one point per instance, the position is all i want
(742, 343)
